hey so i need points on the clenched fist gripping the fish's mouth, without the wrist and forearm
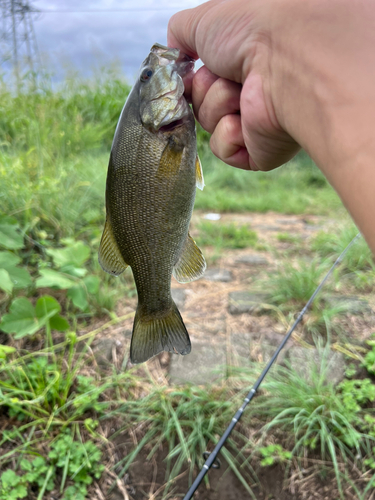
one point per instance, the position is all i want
(231, 94)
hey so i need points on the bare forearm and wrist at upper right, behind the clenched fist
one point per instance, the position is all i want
(324, 95)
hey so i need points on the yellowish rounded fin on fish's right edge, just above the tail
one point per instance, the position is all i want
(191, 264)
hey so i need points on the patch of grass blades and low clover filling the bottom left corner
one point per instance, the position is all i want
(49, 406)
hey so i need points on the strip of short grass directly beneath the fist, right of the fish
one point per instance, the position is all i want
(296, 188)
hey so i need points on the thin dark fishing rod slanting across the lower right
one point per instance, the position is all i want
(212, 460)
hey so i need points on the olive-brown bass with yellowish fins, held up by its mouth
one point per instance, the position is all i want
(152, 176)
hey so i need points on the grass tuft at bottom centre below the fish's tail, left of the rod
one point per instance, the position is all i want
(184, 420)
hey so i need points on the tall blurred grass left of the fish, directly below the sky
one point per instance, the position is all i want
(54, 151)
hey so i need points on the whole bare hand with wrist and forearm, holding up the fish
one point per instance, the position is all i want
(280, 74)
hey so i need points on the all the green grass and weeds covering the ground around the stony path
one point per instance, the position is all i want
(55, 301)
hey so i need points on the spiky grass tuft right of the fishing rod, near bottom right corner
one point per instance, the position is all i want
(314, 414)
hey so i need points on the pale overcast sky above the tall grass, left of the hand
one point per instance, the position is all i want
(102, 32)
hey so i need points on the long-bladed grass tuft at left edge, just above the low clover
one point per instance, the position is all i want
(40, 388)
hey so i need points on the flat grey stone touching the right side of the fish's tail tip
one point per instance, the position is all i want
(203, 365)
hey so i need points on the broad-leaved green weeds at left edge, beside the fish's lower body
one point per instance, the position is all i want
(67, 269)
